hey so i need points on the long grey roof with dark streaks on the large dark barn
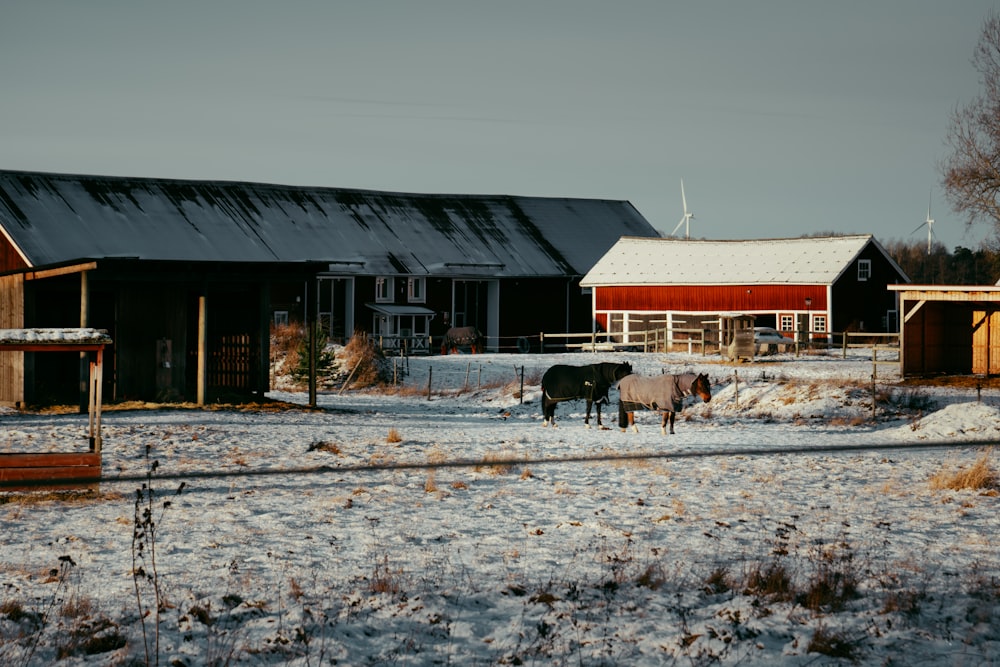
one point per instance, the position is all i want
(51, 219)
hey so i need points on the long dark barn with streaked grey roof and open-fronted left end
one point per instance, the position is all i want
(189, 275)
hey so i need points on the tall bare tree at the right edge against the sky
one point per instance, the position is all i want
(972, 171)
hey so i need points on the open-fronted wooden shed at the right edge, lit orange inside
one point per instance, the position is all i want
(949, 329)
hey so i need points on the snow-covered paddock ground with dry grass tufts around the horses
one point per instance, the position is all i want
(312, 537)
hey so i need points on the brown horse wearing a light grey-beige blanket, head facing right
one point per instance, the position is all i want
(664, 393)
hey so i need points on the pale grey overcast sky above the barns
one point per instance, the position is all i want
(782, 117)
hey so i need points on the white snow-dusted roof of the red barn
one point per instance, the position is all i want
(663, 261)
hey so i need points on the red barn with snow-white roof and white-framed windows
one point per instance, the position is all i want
(820, 284)
